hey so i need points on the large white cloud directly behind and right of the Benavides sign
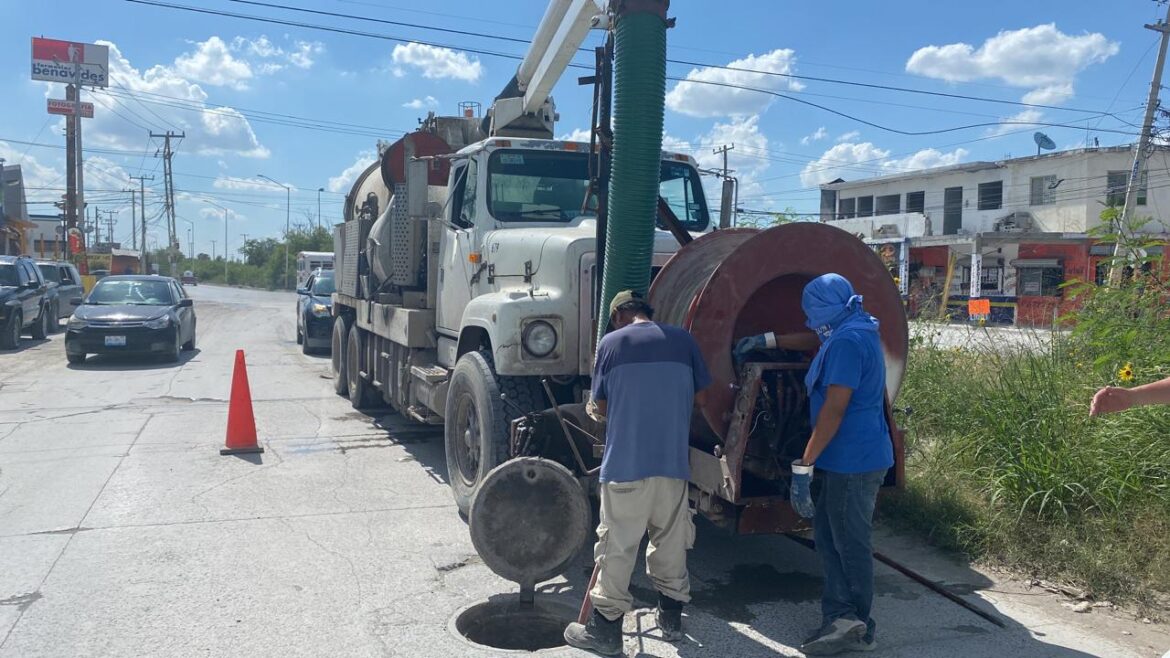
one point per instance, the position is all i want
(164, 99)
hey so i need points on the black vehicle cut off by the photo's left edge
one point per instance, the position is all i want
(26, 301)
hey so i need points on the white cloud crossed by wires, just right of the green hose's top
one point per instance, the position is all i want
(694, 99)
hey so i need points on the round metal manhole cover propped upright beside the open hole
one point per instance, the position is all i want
(529, 519)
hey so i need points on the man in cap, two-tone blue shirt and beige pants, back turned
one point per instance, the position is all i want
(646, 380)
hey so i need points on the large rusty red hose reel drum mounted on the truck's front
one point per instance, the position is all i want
(742, 282)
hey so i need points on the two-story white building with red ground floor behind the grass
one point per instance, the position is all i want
(1013, 231)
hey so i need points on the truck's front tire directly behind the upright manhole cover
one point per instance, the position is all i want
(476, 433)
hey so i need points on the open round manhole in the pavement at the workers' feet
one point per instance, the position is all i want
(506, 623)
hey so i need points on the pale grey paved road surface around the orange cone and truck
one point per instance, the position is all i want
(123, 532)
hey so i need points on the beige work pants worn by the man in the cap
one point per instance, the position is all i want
(629, 511)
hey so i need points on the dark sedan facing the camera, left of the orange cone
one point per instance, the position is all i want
(133, 314)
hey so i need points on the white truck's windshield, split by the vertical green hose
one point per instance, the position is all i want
(552, 187)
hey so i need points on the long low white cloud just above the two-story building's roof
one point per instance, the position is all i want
(854, 161)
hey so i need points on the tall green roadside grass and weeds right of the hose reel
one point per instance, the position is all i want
(1004, 464)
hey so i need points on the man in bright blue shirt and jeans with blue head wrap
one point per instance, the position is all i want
(850, 448)
